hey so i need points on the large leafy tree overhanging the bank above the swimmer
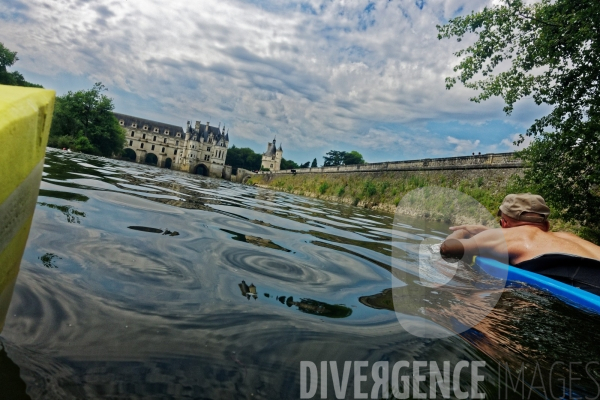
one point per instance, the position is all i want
(547, 51)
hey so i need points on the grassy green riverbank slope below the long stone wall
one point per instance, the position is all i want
(385, 191)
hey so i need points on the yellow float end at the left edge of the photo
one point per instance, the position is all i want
(25, 118)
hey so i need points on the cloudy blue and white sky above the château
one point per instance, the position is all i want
(318, 74)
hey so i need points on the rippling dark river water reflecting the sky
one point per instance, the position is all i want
(140, 282)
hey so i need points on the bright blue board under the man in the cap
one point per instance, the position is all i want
(571, 294)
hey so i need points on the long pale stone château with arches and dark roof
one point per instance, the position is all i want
(199, 150)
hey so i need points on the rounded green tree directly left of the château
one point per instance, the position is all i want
(86, 121)
